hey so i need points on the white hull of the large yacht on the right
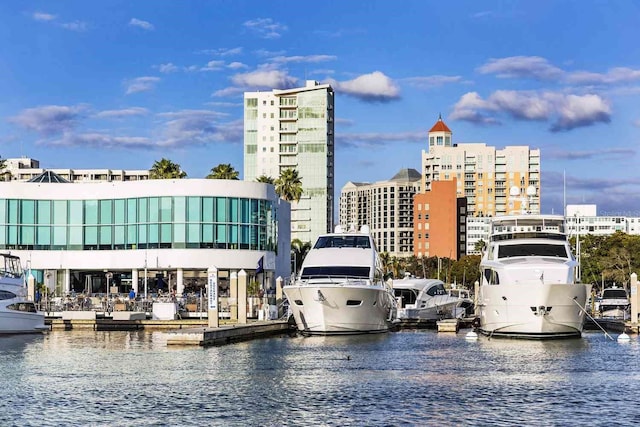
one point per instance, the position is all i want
(533, 311)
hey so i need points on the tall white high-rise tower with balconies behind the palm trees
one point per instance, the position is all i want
(294, 128)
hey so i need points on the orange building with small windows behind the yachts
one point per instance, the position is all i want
(440, 222)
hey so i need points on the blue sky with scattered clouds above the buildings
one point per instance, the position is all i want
(120, 84)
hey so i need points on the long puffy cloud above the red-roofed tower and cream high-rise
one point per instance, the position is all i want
(565, 111)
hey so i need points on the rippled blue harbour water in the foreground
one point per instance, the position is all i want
(406, 378)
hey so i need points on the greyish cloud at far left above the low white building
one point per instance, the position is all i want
(49, 119)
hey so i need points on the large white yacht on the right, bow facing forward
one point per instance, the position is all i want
(529, 286)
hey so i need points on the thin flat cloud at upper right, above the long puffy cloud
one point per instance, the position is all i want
(522, 67)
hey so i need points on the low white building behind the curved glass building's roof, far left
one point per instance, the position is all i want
(24, 169)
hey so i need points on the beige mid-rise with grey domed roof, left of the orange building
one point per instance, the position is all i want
(387, 207)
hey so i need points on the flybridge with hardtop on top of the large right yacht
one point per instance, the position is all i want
(528, 227)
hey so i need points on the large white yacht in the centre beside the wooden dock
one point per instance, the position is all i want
(340, 288)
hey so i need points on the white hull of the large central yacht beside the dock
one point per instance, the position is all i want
(331, 309)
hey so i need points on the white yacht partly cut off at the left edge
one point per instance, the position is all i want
(18, 315)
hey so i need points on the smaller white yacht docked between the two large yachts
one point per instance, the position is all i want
(427, 299)
